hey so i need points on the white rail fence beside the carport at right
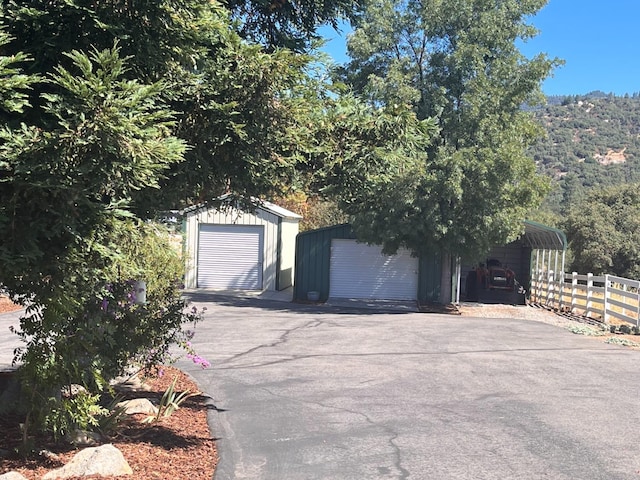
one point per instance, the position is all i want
(598, 297)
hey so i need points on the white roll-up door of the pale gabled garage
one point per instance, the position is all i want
(230, 256)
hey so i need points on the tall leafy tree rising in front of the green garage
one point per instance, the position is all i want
(453, 61)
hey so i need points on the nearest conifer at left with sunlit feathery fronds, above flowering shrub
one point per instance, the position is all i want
(111, 138)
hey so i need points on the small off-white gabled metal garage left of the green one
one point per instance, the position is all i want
(231, 249)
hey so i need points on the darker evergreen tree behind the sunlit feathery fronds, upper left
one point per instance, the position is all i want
(231, 98)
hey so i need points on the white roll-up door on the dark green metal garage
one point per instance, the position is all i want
(358, 270)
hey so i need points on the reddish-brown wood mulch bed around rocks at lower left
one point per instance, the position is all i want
(177, 447)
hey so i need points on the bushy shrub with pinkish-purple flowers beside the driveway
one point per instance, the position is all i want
(91, 327)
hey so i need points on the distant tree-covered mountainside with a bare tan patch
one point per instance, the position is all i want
(592, 141)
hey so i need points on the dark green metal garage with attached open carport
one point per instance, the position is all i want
(330, 263)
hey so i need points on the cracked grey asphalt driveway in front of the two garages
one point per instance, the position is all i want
(305, 393)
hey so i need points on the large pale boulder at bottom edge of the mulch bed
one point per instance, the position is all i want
(103, 461)
